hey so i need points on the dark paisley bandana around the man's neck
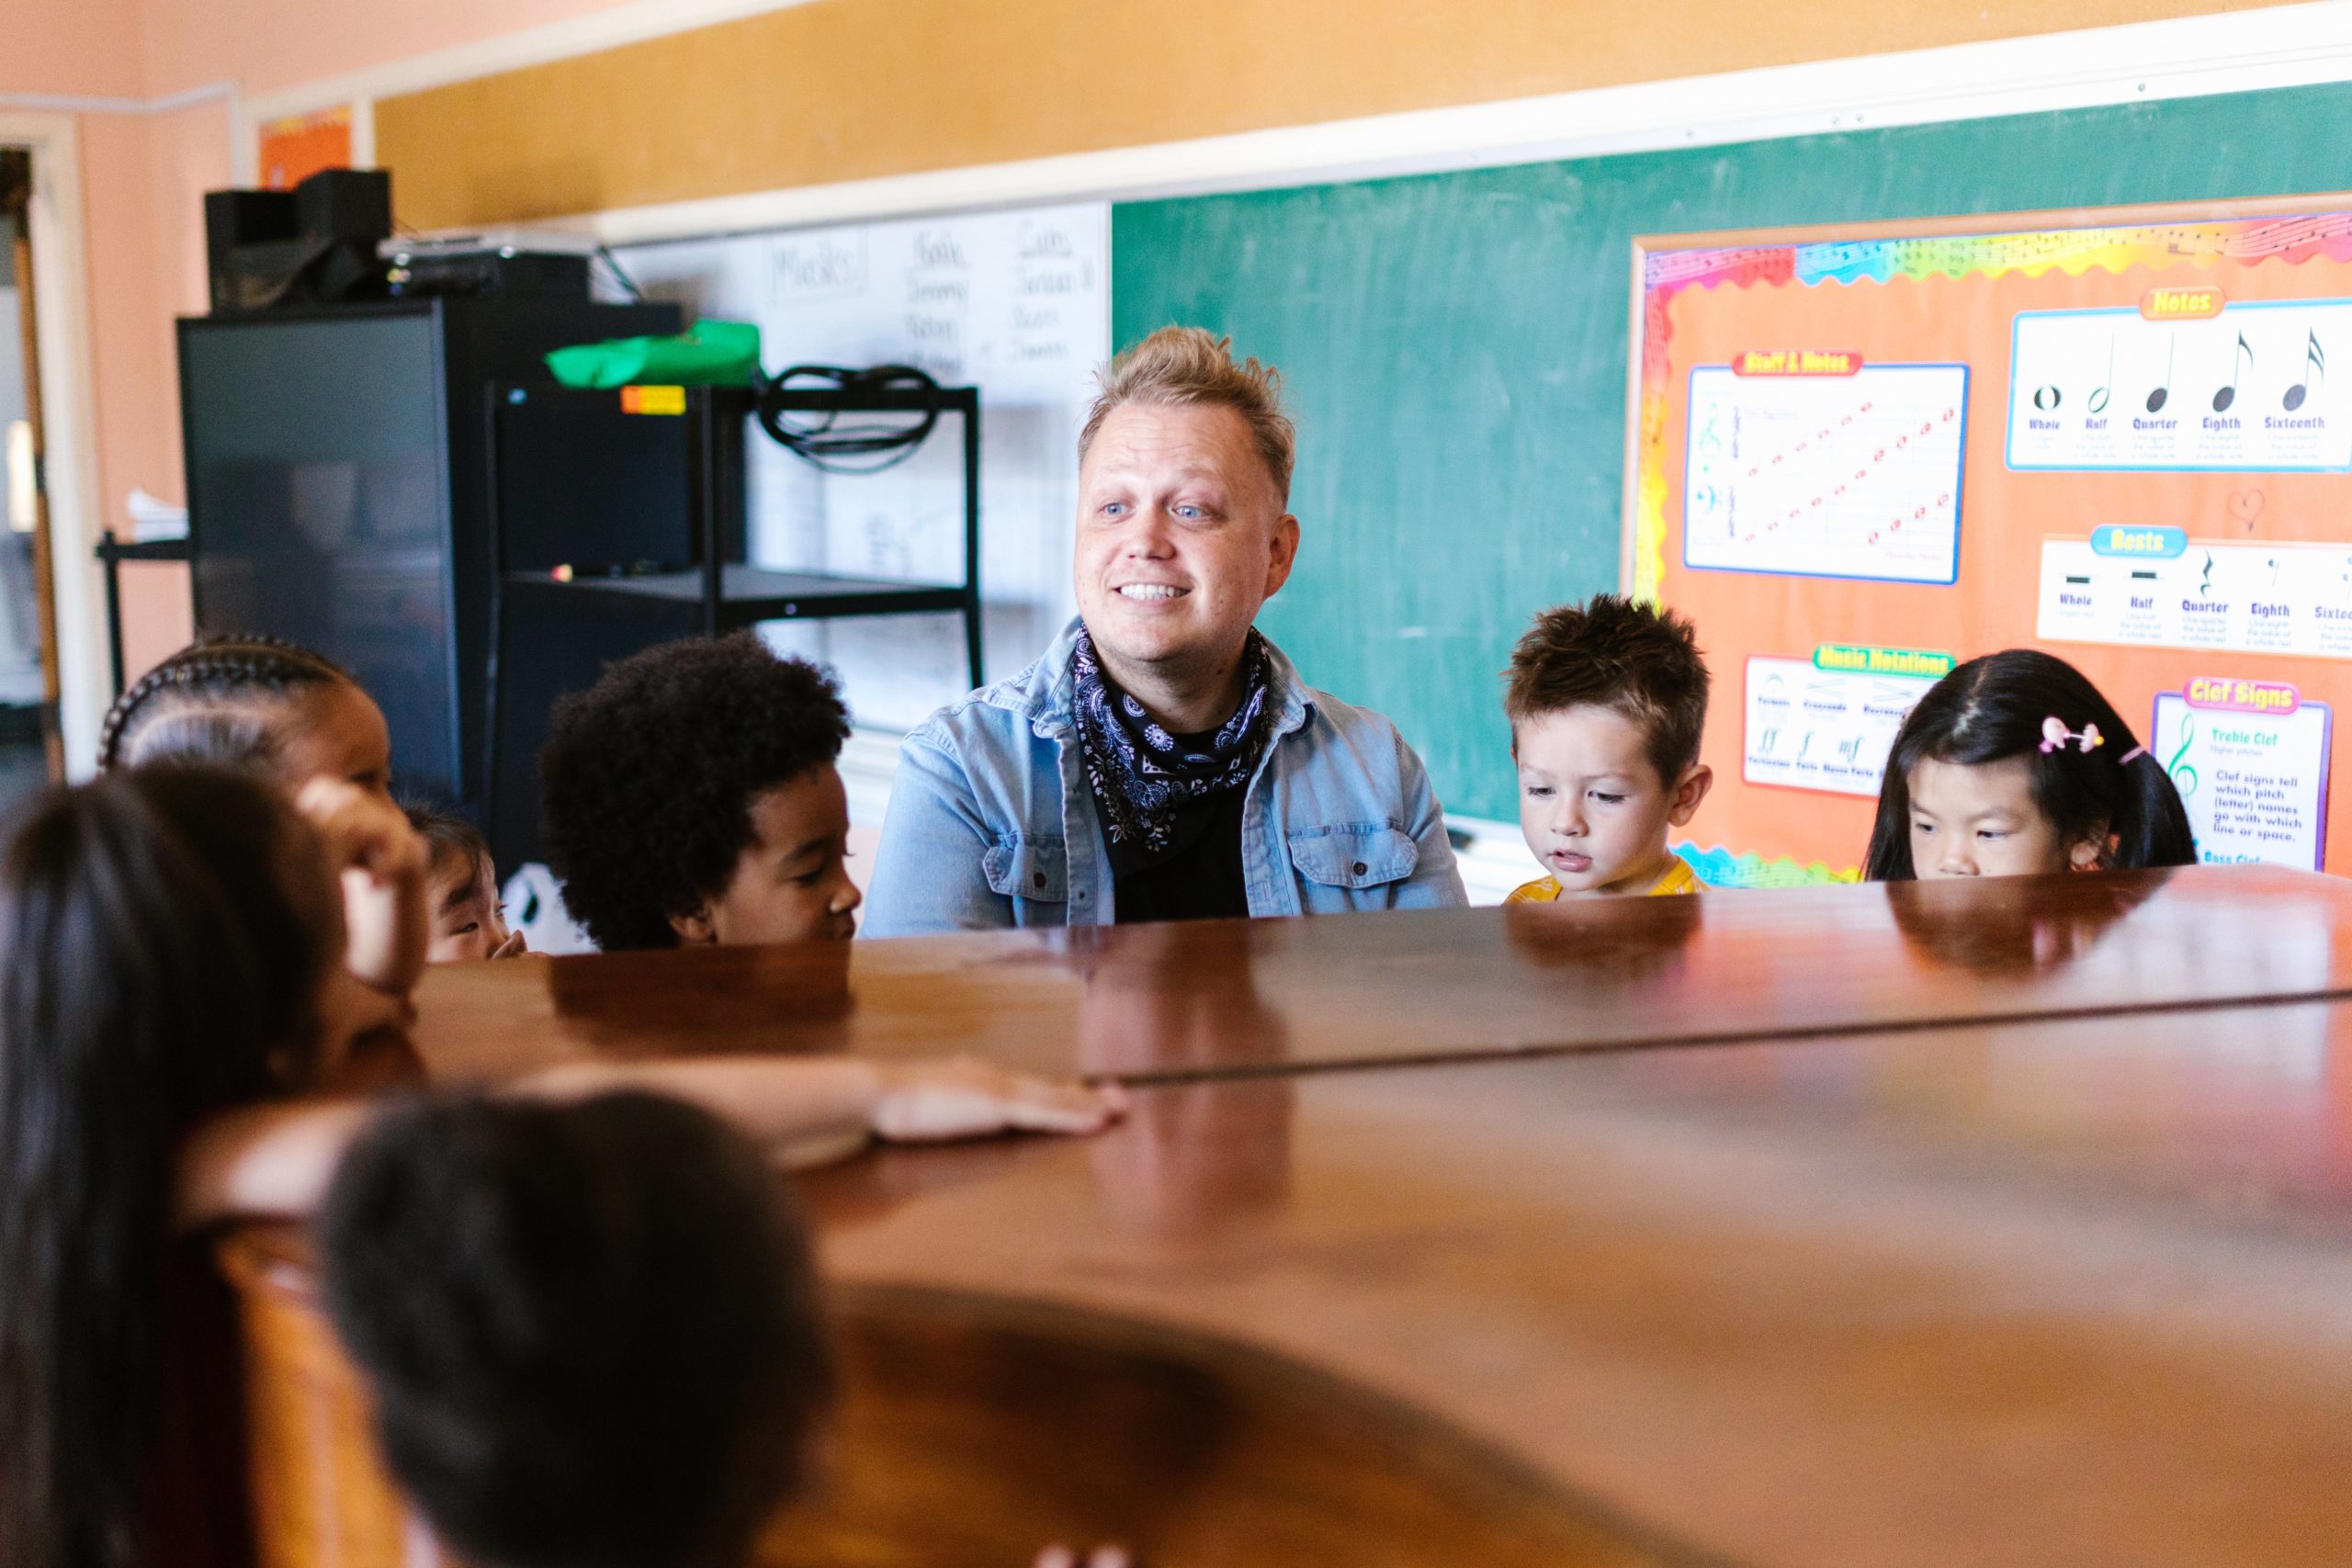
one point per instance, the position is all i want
(1142, 775)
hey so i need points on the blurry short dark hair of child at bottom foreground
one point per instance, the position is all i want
(589, 1332)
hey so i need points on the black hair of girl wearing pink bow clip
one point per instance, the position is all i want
(1991, 711)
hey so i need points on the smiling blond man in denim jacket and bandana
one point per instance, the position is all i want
(1163, 760)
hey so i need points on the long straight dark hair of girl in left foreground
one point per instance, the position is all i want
(161, 951)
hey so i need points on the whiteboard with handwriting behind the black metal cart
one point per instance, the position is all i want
(1010, 302)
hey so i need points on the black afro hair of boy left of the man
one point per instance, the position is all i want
(650, 775)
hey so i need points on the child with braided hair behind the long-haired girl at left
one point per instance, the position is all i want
(300, 723)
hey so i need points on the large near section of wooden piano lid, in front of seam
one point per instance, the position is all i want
(2043, 1294)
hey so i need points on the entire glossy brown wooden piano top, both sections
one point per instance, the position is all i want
(2003, 1224)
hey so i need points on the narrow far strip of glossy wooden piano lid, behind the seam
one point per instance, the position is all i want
(1154, 1003)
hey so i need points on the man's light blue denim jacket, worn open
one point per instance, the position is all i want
(991, 822)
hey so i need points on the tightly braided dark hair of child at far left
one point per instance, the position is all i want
(211, 702)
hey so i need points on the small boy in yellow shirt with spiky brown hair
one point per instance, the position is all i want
(1608, 704)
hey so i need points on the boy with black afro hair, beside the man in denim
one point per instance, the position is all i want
(690, 798)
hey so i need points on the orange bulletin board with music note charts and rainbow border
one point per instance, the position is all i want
(2104, 434)
